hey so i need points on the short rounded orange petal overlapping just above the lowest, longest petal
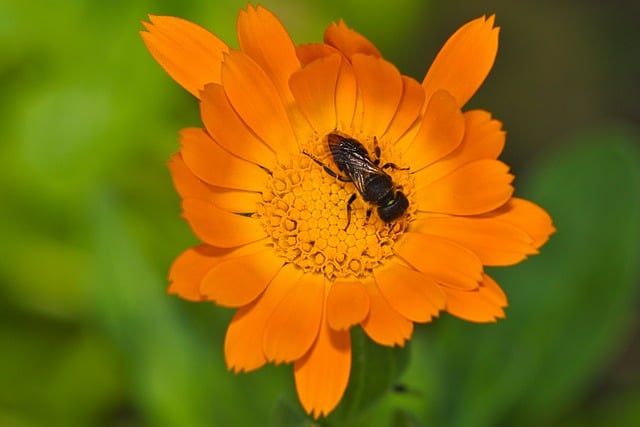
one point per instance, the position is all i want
(347, 304)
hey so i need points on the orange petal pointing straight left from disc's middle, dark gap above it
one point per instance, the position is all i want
(219, 227)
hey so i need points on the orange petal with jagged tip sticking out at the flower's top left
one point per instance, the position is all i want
(191, 55)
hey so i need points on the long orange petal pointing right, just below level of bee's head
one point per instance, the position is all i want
(495, 242)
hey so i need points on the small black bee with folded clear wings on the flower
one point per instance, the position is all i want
(372, 182)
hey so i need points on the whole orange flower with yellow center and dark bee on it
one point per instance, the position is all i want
(289, 240)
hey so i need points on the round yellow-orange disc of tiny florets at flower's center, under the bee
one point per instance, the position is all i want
(305, 211)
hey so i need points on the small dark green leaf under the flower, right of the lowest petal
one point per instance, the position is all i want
(375, 369)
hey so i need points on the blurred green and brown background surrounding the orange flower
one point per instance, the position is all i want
(89, 224)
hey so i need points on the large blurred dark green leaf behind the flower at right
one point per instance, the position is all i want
(570, 306)
